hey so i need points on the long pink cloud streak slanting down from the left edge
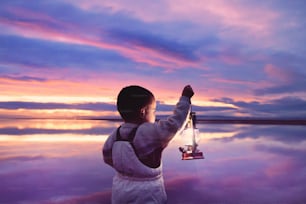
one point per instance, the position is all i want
(73, 35)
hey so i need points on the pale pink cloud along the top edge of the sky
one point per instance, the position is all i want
(249, 22)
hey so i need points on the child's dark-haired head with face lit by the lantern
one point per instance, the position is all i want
(136, 104)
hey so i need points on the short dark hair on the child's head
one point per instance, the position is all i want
(131, 99)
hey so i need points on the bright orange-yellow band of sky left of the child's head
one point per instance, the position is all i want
(54, 91)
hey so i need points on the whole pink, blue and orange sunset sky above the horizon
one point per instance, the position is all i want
(67, 58)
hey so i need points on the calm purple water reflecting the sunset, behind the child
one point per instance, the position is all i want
(60, 161)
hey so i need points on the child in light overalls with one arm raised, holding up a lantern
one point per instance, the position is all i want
(134, 150)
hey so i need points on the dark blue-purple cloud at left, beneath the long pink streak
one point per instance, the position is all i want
(40, 54)
